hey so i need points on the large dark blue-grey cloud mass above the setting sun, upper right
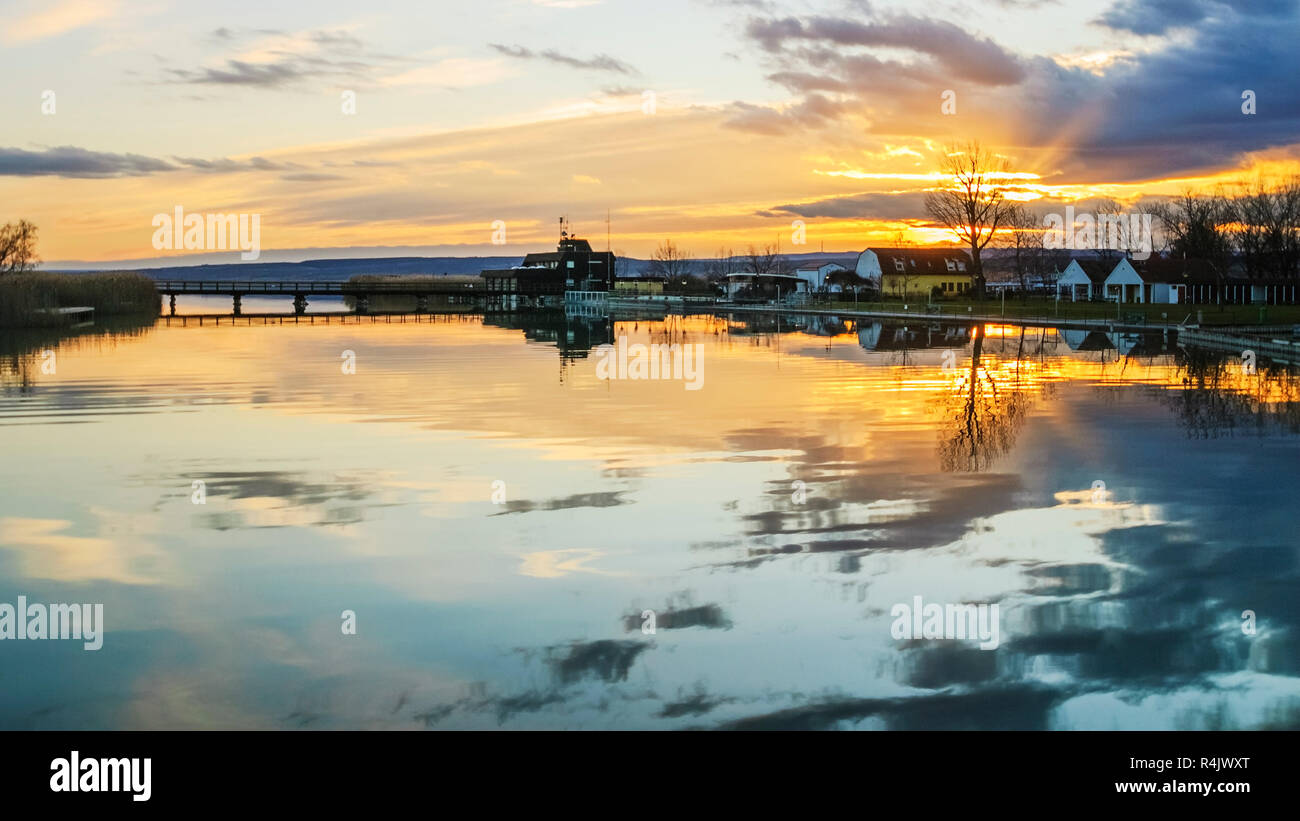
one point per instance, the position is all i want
(1173, 111)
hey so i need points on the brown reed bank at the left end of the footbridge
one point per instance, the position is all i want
(24, 297)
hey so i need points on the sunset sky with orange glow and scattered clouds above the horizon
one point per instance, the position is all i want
(422, 127)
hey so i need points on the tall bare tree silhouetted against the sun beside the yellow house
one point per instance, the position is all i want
(973, 207)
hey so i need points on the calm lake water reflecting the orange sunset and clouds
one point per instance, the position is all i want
(501, 520)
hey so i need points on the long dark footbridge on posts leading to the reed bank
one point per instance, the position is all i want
(422, 289)
